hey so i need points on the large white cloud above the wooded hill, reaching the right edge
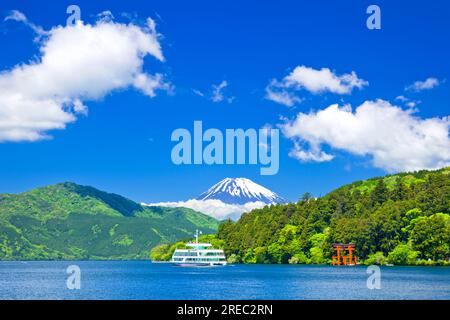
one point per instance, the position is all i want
(394, 138)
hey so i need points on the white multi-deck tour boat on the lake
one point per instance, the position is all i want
(198, 254)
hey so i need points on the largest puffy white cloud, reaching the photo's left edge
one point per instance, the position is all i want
(75, 64)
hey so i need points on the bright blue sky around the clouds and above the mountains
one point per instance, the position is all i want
(123, 144)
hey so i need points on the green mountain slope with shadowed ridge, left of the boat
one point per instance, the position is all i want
(69, 221)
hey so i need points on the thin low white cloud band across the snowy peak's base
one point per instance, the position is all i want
(213, 208)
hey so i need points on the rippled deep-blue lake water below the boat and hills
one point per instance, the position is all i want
(144, 280)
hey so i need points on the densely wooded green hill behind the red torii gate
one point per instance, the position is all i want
(400, 219)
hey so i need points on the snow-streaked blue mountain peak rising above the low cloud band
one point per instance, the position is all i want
(240, 191)
